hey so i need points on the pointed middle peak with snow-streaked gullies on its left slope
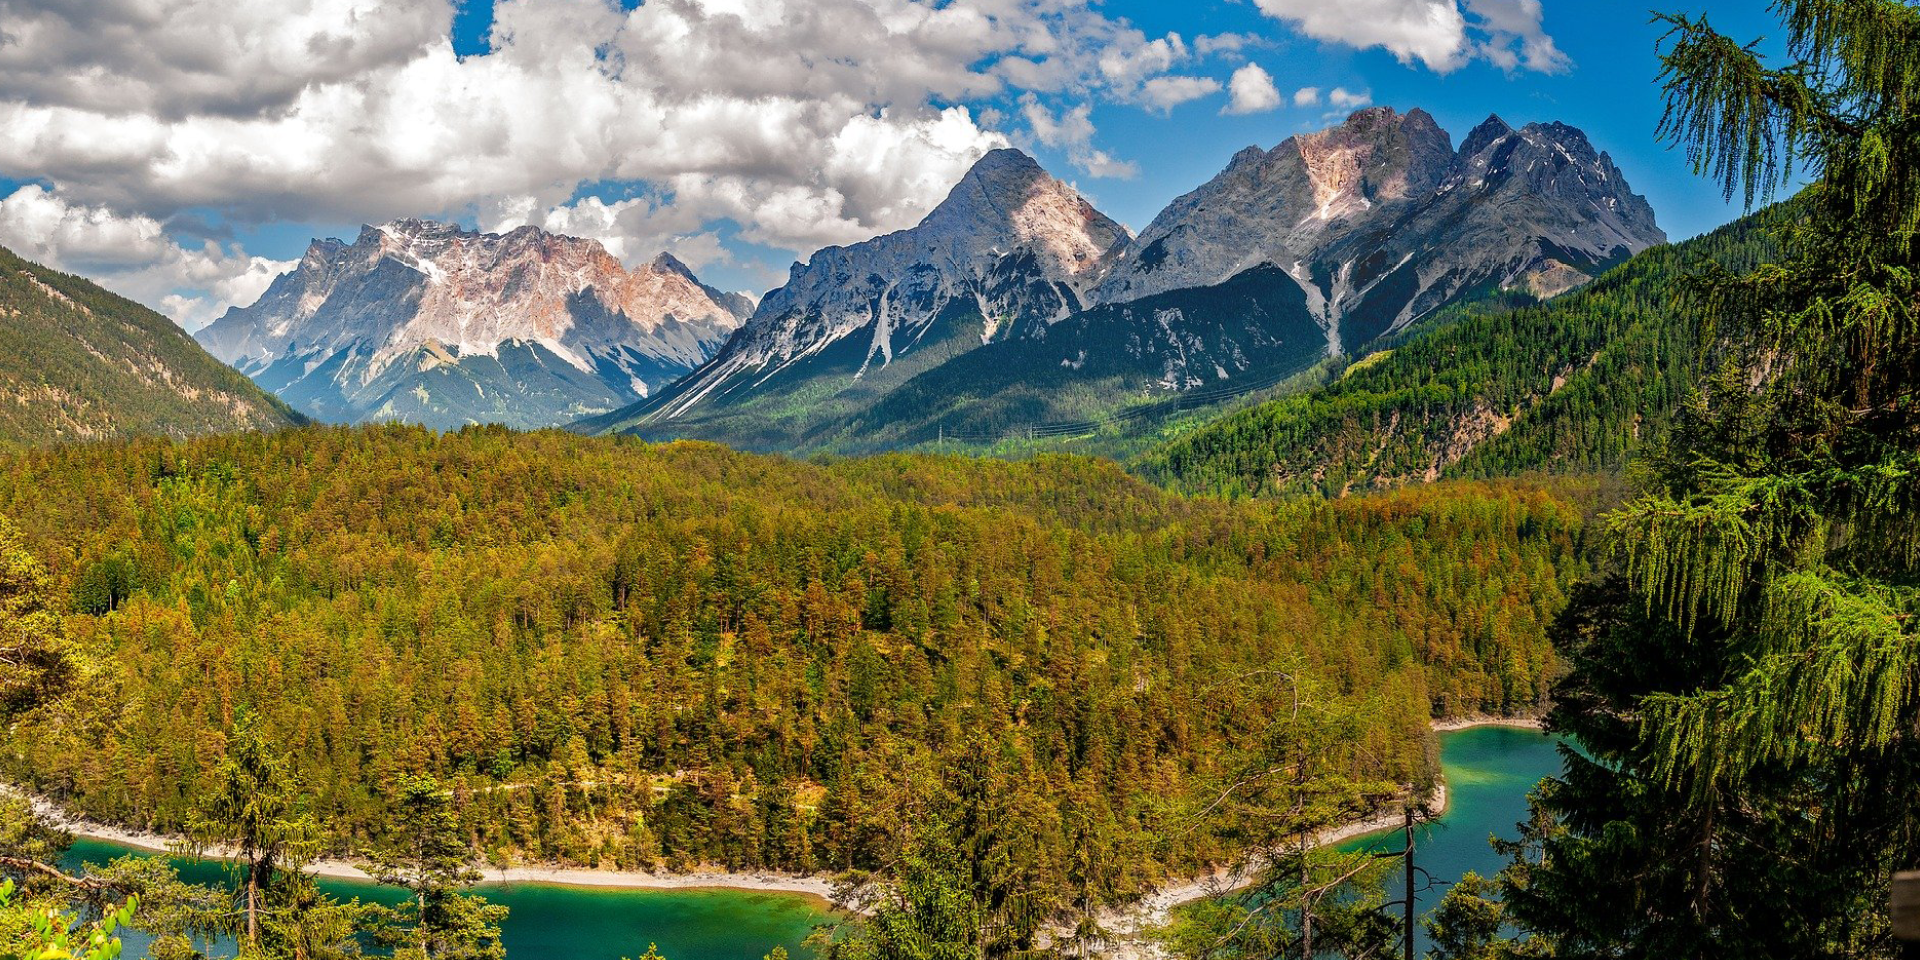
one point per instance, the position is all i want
(1007, 254)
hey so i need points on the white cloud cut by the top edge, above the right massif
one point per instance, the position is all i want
(1437, 34)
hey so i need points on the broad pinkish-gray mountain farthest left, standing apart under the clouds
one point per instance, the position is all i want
(437, 325)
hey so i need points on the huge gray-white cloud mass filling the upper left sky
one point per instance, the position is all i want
(804, 122)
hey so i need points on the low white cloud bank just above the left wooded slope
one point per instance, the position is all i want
(133, 256)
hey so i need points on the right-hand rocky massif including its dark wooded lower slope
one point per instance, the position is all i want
(1320, 247)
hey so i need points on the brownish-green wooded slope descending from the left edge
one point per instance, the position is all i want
(84, 364)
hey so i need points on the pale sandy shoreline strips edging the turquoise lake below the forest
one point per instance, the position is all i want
(1155, 905)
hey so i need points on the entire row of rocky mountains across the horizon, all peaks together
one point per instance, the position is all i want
(1013, 302)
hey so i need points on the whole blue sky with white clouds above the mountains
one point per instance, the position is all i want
(185, 153)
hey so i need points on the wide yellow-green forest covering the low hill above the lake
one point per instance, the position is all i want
(638, 656)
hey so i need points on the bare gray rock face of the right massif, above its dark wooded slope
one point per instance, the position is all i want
(1381, 222)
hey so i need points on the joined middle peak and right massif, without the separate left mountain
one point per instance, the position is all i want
(1316, 249)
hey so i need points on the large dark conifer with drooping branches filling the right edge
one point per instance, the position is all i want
(1748, 692)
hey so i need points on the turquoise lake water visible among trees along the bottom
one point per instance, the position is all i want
(1489, 773)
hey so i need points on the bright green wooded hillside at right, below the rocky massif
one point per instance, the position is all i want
(1564, 387)
